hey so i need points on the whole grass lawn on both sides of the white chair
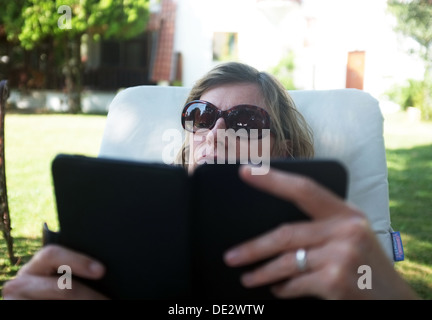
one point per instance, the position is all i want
(32, 141)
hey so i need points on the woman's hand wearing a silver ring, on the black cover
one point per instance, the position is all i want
(338, 240)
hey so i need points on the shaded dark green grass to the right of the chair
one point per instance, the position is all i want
(410, 190)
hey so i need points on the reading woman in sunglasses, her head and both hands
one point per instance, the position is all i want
(319, 258)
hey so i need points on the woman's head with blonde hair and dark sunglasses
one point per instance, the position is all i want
(234, 84)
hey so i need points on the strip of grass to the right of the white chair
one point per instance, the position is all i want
(409, 160)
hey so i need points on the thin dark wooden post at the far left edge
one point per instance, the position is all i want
(5, 222)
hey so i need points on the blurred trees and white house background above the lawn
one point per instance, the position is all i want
(75, 55)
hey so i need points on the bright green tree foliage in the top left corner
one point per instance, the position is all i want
(30, 21)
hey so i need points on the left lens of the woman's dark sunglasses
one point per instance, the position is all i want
(201, 115)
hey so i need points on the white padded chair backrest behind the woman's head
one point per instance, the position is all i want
(347, 125)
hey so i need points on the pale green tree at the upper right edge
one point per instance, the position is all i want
(414, 21)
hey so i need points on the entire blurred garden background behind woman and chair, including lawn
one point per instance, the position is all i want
(65, 60)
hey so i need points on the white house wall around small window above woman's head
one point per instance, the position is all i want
(261, 41)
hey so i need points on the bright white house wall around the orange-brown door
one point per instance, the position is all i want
(349, 25)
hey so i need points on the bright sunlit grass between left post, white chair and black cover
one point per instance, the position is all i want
(32, 141)
